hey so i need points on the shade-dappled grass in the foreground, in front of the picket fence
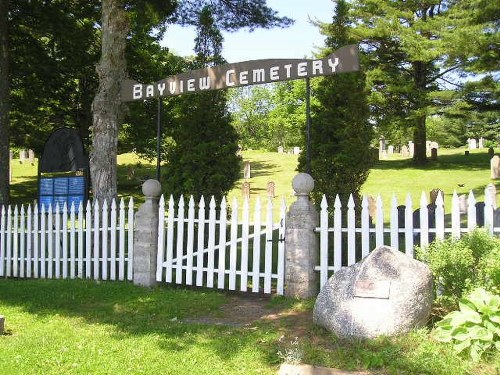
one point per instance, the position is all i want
(83, 327)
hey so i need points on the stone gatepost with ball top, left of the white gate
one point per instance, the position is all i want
(146, 235)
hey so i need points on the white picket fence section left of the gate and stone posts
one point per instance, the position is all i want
(92, 243)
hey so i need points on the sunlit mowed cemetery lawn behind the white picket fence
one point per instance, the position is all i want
(453, 171)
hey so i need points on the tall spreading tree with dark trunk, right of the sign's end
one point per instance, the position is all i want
(417, 48)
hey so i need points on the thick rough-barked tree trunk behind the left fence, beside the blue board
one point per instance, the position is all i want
(107, 107)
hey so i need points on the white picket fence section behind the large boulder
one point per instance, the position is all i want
(344, 244)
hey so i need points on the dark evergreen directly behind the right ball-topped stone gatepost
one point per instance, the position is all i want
(340, 131)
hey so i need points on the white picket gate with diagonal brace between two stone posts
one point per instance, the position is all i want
(221, 249)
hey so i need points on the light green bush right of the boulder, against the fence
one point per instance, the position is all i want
(461, 265)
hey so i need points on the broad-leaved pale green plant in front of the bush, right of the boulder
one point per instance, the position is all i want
(475, 328)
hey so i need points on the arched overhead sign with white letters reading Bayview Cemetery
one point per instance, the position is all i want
(345, 59)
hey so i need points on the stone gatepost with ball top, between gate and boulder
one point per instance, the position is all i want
(301, 243)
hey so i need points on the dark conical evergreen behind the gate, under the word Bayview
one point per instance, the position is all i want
(203, 159)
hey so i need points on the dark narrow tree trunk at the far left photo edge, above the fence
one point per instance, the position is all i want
(4, 103)
